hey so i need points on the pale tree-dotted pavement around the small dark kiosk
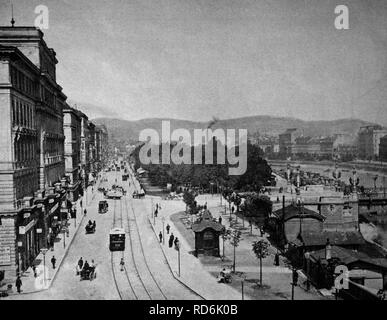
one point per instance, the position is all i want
(276, 279)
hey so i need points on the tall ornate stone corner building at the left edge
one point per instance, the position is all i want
(32, 146)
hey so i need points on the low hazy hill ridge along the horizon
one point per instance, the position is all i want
(124, 130)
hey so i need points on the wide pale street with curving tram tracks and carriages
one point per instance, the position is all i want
(146, 274)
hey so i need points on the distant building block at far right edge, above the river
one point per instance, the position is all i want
(368, 141)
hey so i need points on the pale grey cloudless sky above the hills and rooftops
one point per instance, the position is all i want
(194, 59)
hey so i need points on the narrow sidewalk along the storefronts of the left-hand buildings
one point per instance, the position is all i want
(61, 247)
